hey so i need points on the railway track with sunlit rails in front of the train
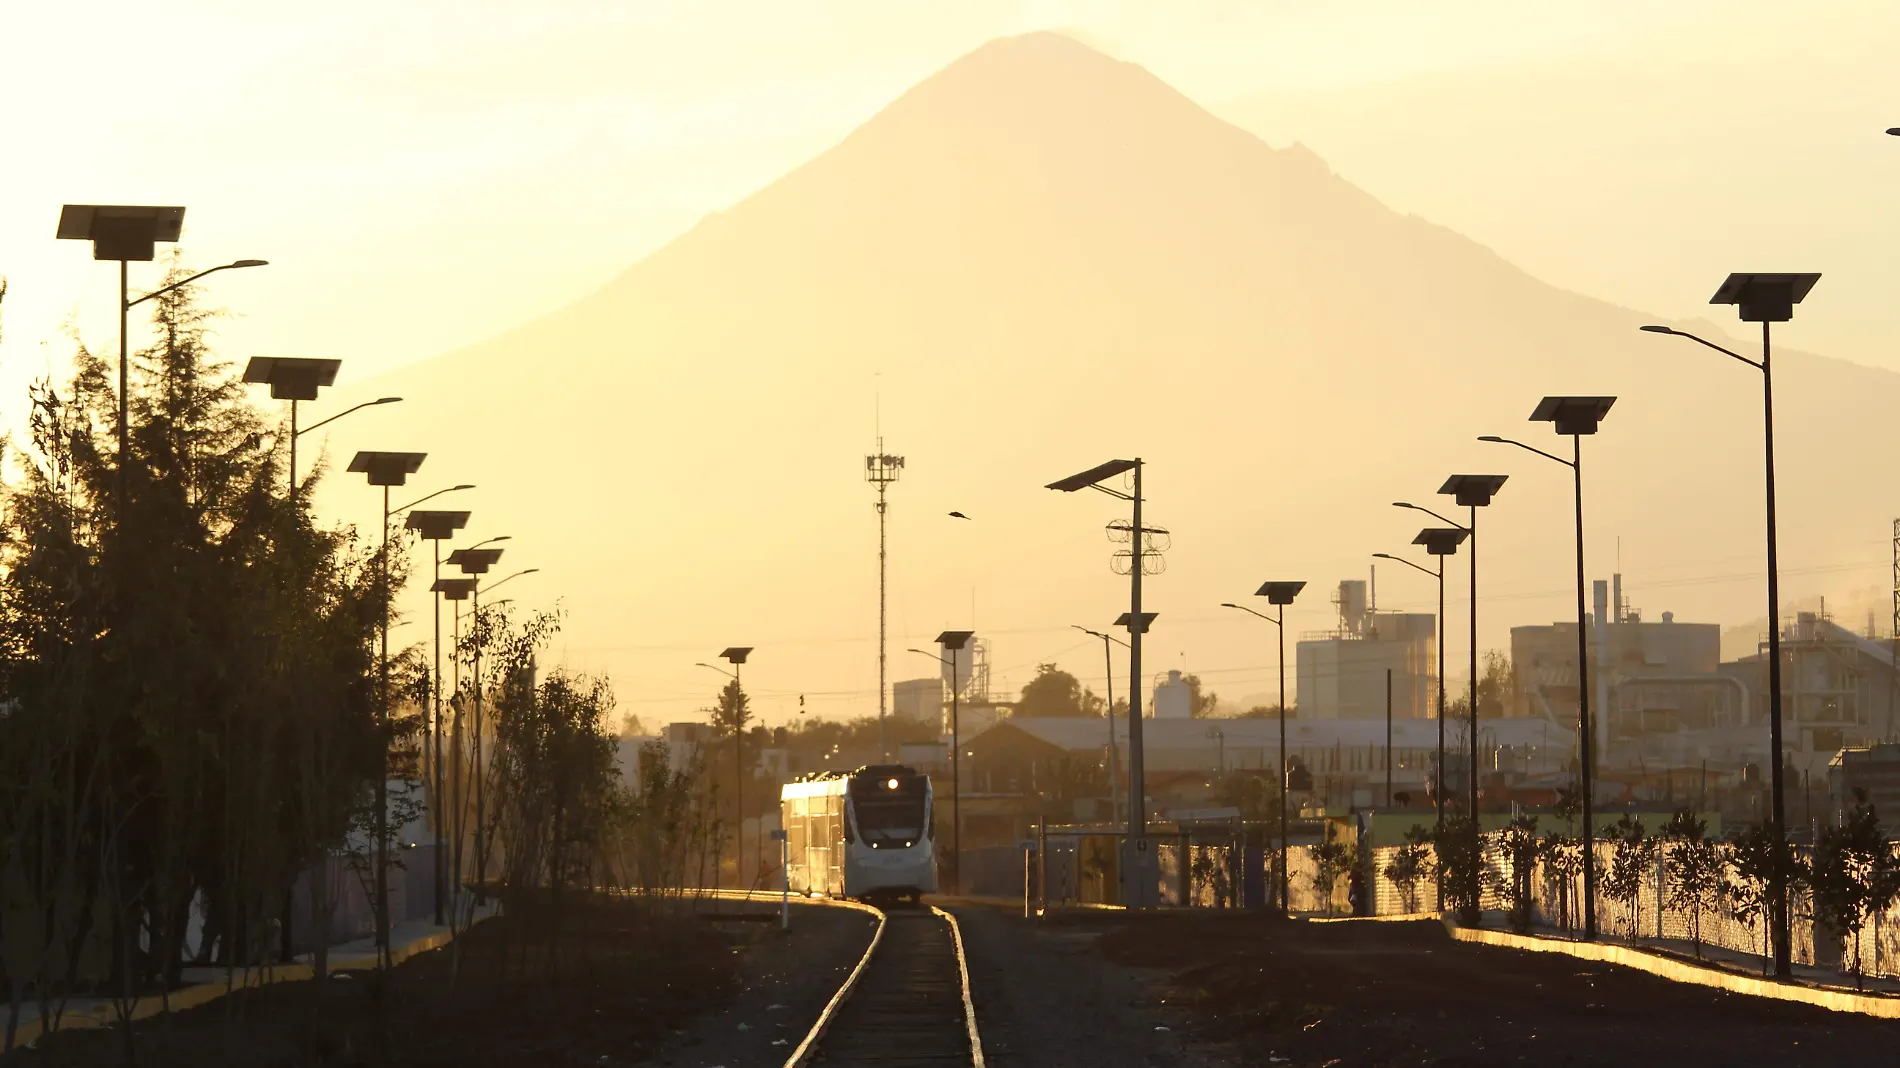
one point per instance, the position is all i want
(907, 1002)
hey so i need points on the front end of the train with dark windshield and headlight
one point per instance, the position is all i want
(892, 852)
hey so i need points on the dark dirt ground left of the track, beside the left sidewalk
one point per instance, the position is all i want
(622, 982)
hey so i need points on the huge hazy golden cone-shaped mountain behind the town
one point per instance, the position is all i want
(1040, 259)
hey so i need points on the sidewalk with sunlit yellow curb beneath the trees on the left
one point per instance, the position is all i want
(200, 985)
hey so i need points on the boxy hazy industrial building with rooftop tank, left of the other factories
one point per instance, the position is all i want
(1344, 674)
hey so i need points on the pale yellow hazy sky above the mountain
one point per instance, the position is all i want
(428, 174)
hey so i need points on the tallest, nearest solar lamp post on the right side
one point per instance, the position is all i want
(1768, 299)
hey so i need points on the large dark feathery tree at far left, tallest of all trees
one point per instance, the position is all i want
(187, 664)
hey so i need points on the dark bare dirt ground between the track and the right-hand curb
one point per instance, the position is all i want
(1259, 991)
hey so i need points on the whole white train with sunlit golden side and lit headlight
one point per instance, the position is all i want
(862, 835)
